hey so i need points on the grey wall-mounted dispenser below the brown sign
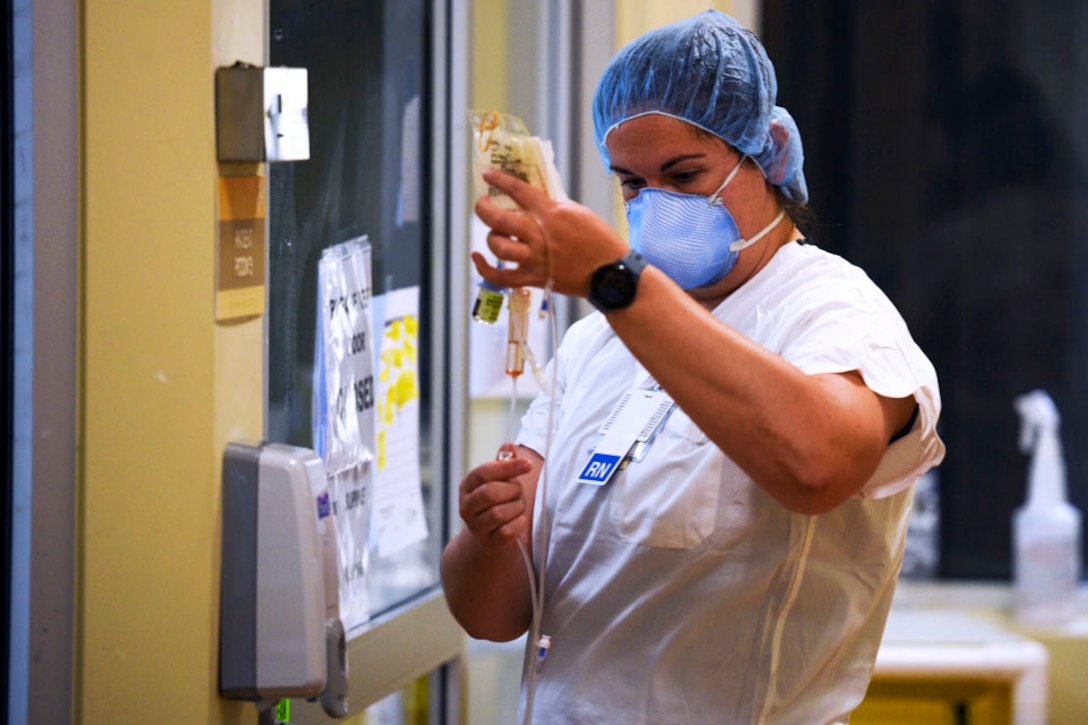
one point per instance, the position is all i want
(279, 637)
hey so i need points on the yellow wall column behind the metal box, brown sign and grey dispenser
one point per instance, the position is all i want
(163, 387)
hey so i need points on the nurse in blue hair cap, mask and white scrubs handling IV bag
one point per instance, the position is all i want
(719, 511)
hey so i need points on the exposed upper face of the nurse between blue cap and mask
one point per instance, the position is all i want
(665, 153)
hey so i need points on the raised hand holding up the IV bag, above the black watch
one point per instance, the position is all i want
(560, 241)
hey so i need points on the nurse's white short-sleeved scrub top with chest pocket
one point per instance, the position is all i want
(681, 592)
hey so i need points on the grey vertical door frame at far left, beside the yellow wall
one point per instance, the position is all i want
(46, 322)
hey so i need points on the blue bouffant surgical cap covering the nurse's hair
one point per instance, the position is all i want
(712, 72)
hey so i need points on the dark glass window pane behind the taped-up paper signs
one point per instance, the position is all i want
(368, 72)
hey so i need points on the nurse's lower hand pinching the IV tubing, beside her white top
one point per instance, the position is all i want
(493, 502)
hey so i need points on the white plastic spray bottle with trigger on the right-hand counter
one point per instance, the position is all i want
(1047, 529)
